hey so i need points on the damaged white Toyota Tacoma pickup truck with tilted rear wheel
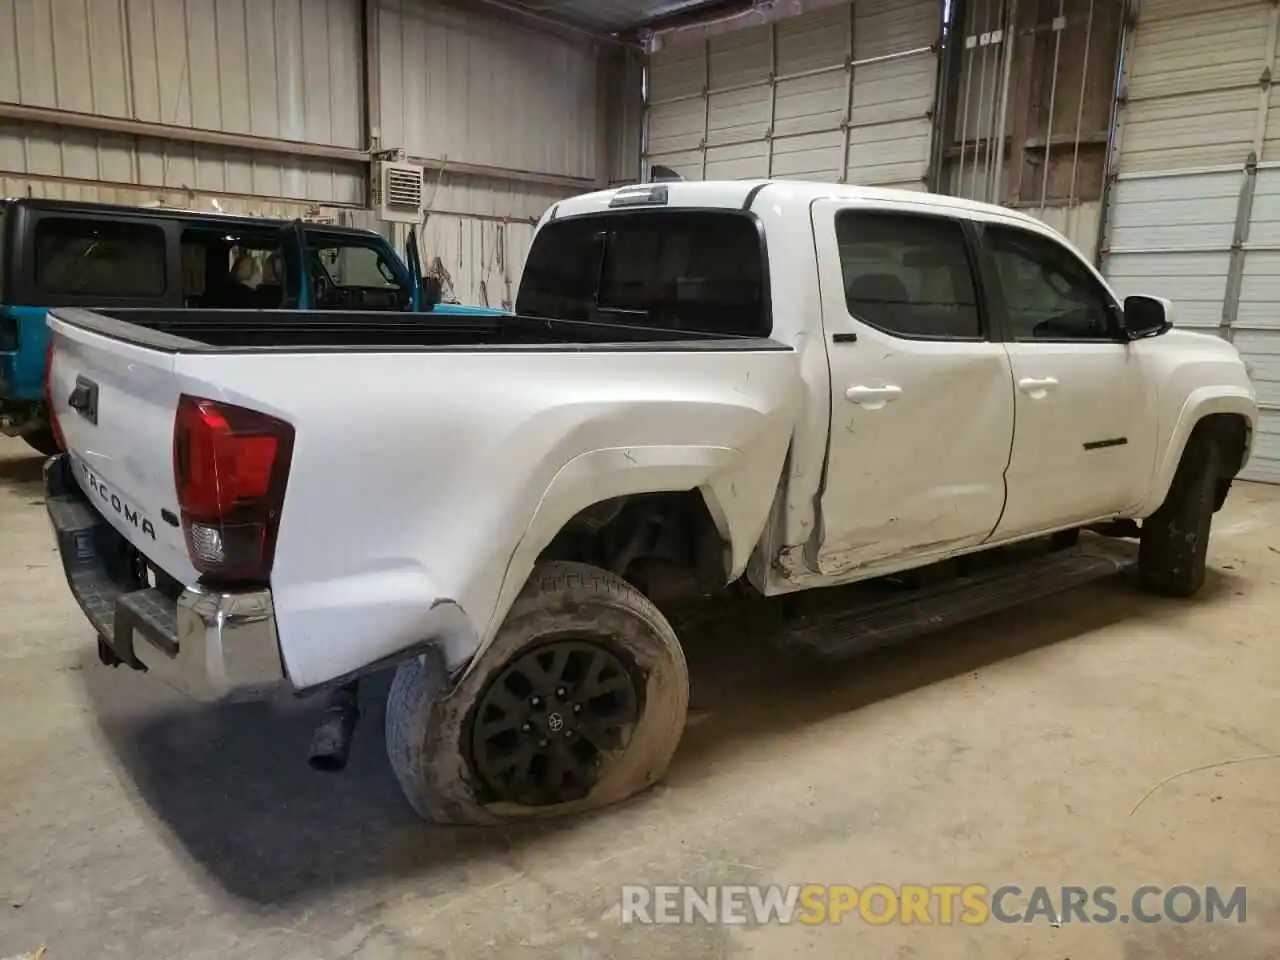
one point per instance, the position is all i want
(789, 386)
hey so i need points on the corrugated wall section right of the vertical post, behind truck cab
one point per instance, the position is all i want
(461, 88)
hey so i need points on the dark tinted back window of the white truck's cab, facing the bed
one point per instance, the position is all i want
(687, 271)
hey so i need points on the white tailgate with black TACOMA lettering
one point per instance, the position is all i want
(116, 405)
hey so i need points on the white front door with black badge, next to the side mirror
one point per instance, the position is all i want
(1078, 452)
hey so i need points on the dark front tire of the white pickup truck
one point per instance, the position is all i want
(1174, 545)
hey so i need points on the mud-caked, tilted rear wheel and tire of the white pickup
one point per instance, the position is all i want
(565, 612)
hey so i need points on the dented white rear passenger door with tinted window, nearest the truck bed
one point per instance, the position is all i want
(922, 401)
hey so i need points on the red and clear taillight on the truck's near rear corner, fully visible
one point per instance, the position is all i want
(230, 467)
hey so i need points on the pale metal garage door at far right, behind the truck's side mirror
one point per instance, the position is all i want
(1195, 209)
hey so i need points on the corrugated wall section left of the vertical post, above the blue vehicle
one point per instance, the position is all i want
(253, 67)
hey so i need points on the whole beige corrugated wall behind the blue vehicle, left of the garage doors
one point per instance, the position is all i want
(272, 108)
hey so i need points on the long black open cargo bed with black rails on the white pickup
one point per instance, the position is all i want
(267, 331)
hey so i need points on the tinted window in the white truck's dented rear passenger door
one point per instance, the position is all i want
(908, 276)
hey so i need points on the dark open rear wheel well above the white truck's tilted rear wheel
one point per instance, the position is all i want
(666, 545)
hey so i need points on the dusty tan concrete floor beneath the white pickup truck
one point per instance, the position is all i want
(134, 825)
